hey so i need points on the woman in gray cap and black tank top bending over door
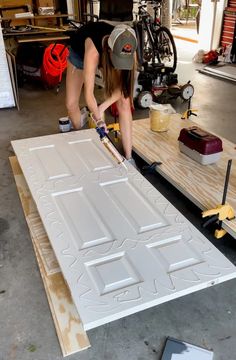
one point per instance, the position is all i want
(111, 49)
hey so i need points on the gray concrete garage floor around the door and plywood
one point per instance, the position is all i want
(206, 318)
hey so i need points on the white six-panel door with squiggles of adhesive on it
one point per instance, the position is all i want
(121, 246)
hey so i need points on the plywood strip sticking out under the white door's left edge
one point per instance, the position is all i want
(69, 328)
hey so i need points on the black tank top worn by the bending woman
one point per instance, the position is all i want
(93, 30)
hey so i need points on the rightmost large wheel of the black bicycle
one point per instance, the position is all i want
(166, 48)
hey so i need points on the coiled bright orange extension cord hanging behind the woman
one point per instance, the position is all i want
(54, 64)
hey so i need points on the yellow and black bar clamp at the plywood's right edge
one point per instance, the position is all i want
(222, 211)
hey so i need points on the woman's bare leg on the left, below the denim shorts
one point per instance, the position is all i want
(74, 83)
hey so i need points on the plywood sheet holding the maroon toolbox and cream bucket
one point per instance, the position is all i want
(202, 184)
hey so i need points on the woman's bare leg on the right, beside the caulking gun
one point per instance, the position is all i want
(125, 120)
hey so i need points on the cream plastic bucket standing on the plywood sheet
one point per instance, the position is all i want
(160, 116)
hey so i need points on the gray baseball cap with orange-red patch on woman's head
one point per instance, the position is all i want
(123, 44)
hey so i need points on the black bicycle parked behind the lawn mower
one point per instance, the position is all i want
(156, 43)
